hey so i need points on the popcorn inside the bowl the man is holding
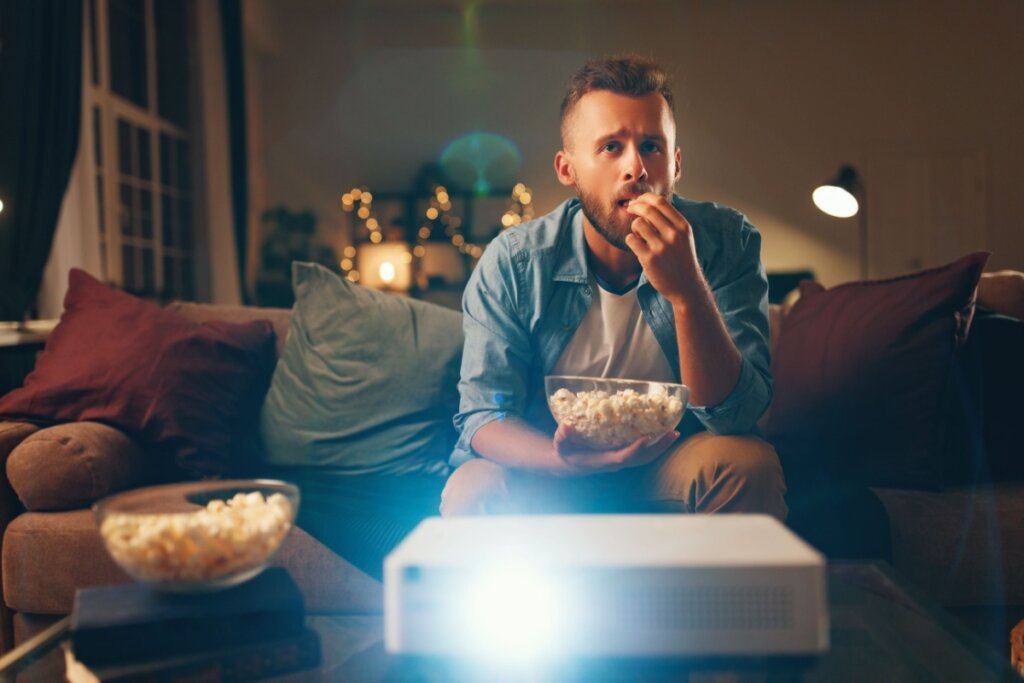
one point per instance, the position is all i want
(612, 421)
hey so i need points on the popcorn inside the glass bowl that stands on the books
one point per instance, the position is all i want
(219, 541)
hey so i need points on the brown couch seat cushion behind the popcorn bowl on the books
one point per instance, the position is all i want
(68, 546)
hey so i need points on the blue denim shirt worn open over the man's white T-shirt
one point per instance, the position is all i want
(532, 288)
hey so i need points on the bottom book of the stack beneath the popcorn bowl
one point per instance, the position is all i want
(238, 664)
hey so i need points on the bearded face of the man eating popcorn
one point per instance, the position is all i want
(617, 149)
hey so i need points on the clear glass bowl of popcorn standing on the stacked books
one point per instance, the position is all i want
(198, 537)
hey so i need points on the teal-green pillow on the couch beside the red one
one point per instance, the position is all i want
(367, 382)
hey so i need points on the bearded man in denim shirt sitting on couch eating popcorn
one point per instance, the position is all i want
(629, 281)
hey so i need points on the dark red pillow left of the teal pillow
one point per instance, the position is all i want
(187, 390)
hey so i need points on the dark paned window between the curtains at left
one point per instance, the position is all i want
(140, 98)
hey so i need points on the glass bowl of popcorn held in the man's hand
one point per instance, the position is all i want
(608, 414)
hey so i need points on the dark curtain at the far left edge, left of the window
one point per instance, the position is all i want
(40, 111)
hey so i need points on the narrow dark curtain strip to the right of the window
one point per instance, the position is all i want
(231, 26)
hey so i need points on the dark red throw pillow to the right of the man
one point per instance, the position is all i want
(867, 376)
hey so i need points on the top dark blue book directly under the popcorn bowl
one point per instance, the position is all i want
(133, 622)
